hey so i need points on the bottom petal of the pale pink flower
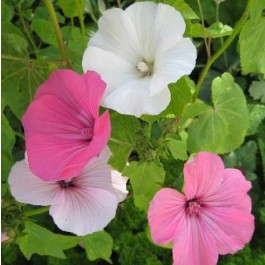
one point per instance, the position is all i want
(84, 210)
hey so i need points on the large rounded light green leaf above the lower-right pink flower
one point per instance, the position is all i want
(222, 127)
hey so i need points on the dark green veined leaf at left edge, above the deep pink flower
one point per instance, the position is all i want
(20, 75)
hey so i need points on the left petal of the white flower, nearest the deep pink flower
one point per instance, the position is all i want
(113, 69)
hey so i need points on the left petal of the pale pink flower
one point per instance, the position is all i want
(28, 188)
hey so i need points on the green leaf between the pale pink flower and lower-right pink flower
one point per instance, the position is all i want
(146, 179)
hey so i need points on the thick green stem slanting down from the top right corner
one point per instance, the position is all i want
(226, 44)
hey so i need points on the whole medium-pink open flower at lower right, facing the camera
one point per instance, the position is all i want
(212, 216)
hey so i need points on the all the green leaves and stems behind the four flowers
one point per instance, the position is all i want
(227, 118)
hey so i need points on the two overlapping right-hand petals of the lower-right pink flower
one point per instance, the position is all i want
(228, 212)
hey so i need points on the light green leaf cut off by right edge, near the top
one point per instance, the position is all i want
(252, 46)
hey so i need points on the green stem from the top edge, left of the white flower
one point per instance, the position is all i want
(58, 32)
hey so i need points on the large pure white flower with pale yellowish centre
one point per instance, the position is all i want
(138, 52)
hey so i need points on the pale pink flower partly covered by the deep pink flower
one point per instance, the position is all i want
(83, 205)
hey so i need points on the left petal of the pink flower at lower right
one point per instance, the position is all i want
(166, 215)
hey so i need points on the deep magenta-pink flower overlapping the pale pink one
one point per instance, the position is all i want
(63, 129)
